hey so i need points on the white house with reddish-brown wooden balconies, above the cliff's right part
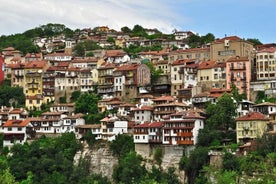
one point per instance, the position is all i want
(182, 128)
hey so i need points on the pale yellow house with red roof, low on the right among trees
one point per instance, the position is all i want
(251, 126)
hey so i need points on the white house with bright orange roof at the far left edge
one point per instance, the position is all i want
(15, 132)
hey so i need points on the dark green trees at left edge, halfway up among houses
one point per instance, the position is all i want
(11, 96)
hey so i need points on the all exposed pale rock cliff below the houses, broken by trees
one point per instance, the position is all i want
(103, 162)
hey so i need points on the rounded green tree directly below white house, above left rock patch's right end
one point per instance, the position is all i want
(122, 145)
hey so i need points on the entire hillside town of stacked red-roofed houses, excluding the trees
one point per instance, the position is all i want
(166, 109)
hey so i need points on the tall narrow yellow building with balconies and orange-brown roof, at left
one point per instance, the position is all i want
(33, 73)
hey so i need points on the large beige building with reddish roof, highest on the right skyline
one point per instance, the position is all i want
(223, 49)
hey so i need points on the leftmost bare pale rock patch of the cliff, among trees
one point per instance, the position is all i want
(101, 159)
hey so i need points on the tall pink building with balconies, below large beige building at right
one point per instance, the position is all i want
(238, 73)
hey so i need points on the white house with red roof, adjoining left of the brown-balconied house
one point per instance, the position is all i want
(148, 133)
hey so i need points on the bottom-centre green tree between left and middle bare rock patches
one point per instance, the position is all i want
(129, 169)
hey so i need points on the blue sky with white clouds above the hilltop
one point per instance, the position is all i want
(243, 18)
